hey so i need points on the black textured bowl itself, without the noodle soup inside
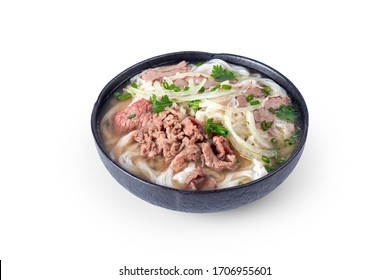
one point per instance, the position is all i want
(201, 201)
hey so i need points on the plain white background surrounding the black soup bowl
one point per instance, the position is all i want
(64, 217)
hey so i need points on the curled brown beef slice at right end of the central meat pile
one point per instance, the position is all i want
(225, 158)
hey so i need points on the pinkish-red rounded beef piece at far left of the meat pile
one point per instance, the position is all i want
(142, 109)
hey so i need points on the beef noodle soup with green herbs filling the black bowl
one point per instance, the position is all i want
(199, 126)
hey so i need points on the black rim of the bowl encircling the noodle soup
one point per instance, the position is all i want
(103, 93)
